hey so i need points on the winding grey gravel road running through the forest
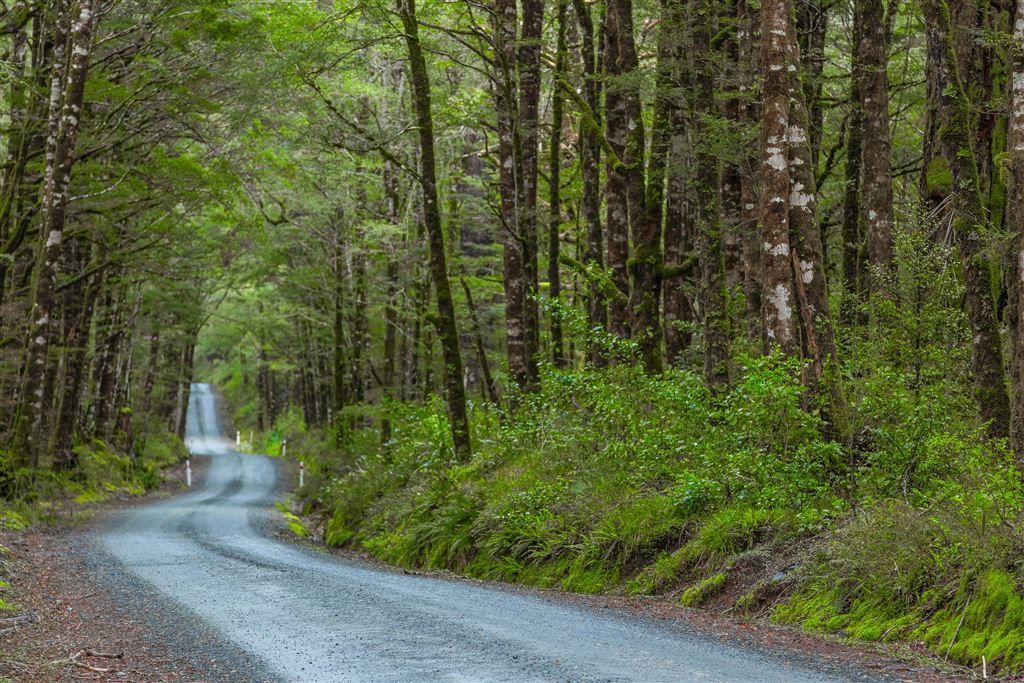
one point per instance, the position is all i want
(310, 617)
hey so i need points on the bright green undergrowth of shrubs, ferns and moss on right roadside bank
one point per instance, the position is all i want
(615, 481)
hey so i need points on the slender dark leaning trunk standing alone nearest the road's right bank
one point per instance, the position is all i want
(447, 328)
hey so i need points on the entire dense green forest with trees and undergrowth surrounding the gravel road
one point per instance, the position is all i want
(723, 297)
